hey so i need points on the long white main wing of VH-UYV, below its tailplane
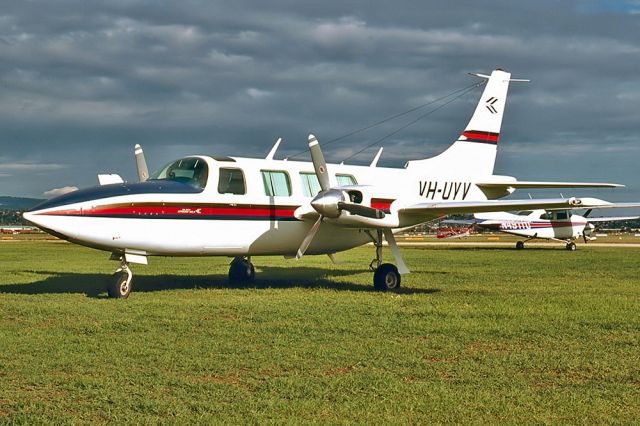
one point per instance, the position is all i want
(427, 211)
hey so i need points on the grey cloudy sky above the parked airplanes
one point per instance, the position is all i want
(82, 82)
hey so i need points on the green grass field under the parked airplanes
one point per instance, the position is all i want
(476, 335)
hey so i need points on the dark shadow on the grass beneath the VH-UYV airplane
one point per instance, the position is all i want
(268, 277)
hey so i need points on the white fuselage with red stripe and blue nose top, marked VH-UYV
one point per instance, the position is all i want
(161, 217)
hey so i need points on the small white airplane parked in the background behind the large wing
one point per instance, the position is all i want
(553, 224)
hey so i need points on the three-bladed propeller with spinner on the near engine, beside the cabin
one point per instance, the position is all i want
(330, 202)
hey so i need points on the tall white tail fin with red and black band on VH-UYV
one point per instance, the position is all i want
(474, 152)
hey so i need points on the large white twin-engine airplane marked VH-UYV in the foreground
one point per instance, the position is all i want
(244, 207)
